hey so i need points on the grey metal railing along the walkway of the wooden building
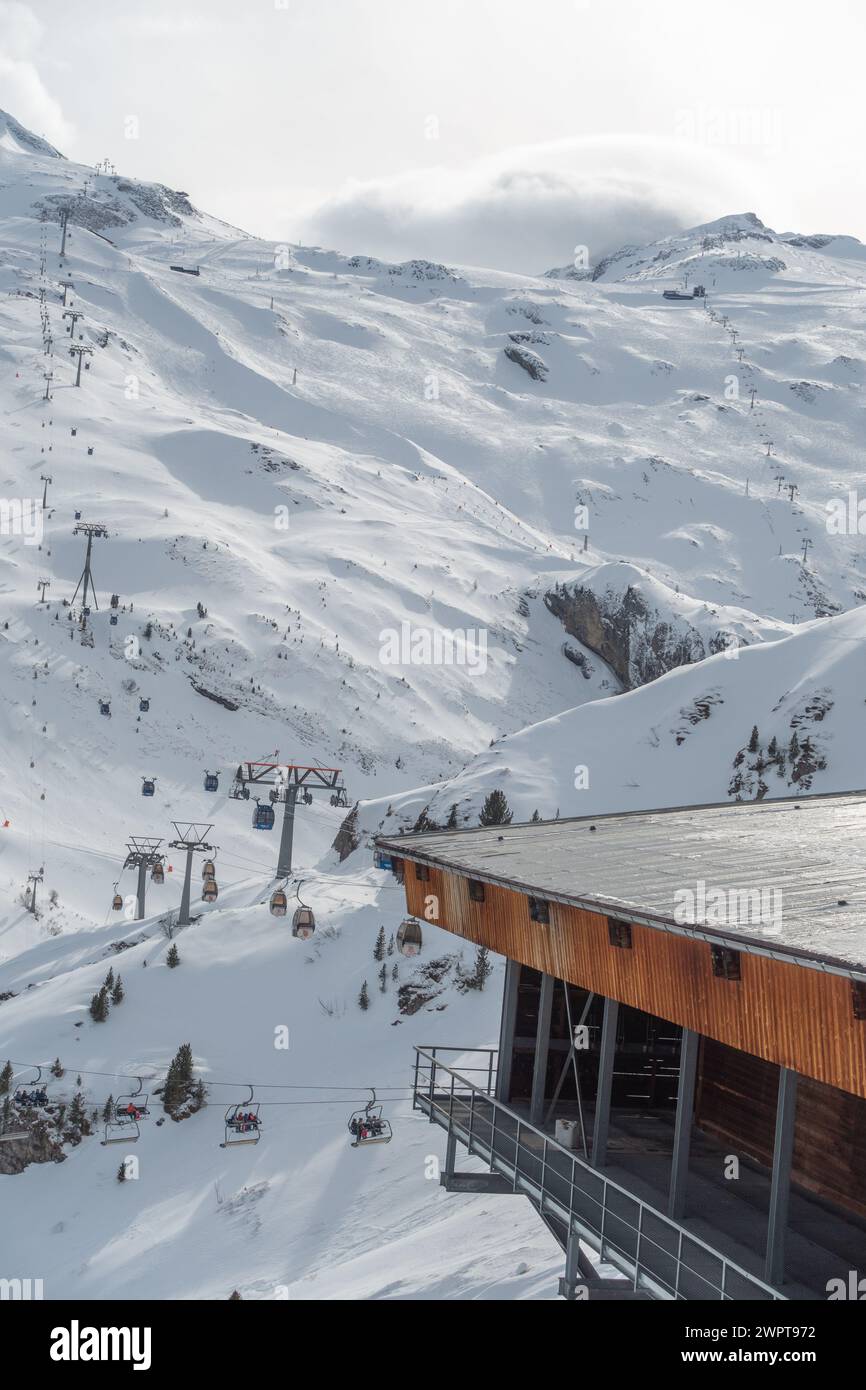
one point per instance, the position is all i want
(655, 1253)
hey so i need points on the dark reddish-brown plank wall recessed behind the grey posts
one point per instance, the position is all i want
(736, 1103)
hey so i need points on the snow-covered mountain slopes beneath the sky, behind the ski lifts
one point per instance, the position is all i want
(311, 466)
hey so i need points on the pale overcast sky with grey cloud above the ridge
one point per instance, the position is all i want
(480, 131)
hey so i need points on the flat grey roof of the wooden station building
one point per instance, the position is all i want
(783, 878)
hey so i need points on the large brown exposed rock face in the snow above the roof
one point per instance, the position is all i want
(636, 640)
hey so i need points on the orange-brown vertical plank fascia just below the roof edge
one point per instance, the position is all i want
(781, 1013)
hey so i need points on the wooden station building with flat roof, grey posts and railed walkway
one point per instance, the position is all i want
(680, 1079)
